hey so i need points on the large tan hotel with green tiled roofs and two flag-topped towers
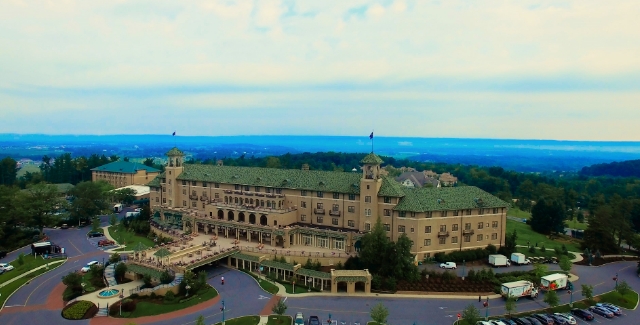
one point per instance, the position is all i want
(333, 210)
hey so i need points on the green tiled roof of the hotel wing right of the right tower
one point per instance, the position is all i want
(447, 198)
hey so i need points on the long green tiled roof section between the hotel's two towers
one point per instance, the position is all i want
(312, 180)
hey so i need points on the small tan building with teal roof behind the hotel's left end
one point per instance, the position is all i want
(124, 173)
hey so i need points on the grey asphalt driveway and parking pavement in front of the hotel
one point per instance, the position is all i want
(243, 296)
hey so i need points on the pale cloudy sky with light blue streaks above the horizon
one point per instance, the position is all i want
(567, 70)
